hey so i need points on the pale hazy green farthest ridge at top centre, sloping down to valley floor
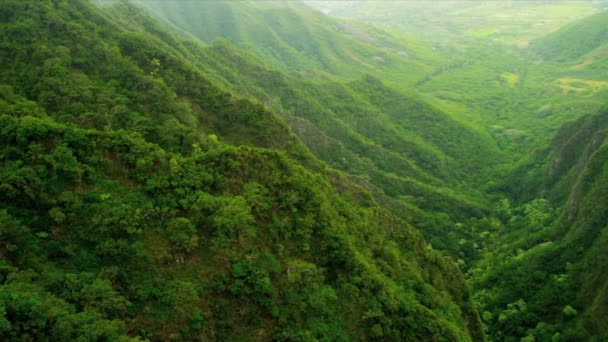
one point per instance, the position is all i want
(295, 37)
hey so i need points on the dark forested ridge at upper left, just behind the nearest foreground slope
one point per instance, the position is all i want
(140, 83)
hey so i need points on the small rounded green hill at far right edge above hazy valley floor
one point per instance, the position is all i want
(575, 40)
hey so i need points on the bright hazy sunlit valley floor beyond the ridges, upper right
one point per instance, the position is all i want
(524, 109)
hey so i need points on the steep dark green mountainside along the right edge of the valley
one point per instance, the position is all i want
(564, 262)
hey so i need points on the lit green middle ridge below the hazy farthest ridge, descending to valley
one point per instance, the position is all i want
(363, 114)
